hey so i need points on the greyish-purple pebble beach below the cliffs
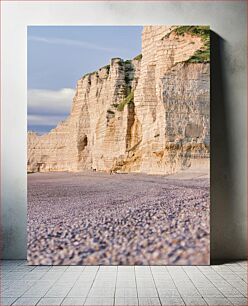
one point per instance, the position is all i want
(92, 218)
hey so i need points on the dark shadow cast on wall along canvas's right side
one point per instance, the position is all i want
(225, 231)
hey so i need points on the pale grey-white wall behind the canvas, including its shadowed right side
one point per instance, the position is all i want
(228, 99)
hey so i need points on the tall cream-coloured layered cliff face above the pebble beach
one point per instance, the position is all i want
(145, 115)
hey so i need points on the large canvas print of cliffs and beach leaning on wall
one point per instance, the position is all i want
(118, 145)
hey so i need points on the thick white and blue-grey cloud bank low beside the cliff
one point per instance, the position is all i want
(48, 107)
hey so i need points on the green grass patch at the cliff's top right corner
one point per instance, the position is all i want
(202, 55)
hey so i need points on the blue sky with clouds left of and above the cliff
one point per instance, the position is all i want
(60, 55)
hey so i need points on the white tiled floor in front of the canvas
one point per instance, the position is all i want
(122, 285)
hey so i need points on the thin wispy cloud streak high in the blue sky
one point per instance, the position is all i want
(70, 42)
